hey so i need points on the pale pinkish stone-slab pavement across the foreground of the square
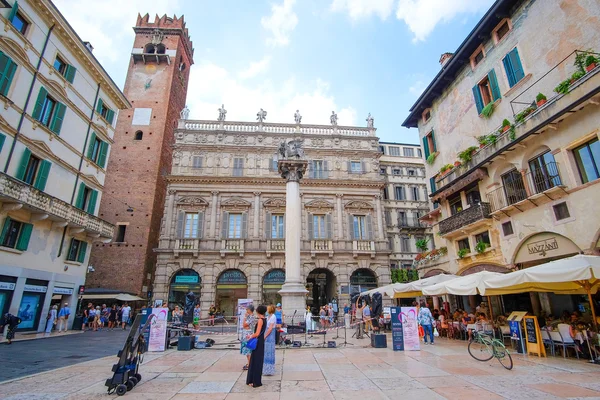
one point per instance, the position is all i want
(442, 371)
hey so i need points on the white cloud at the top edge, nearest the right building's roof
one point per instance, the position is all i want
(422, 16)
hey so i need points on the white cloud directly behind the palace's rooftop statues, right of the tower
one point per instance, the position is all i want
(212, 85)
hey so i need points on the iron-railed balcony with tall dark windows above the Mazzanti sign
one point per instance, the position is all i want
(534, 188)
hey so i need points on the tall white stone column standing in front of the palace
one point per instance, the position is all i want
(293, 292)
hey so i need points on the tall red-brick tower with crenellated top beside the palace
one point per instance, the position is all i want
(156, 86)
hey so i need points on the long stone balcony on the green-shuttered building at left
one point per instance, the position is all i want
(22, 195)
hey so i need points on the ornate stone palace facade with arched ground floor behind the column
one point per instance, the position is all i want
(222, 233)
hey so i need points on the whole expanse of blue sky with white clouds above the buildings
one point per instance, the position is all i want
(351, 56)
